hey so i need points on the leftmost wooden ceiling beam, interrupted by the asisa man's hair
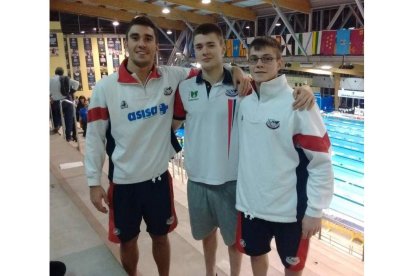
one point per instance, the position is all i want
(94, 11)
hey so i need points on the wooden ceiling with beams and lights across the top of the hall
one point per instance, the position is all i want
(183, 12)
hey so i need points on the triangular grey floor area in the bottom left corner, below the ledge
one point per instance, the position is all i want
(73, 241)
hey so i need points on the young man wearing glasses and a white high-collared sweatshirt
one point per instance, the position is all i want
(285, 176)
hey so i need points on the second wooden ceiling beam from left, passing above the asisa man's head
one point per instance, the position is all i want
(153, 10)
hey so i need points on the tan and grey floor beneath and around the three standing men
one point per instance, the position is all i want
(78, 232)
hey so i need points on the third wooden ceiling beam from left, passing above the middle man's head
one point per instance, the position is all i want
(219, 8)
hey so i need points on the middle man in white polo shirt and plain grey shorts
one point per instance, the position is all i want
(208, 102)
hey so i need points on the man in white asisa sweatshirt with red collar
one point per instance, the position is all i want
(129, 119)
